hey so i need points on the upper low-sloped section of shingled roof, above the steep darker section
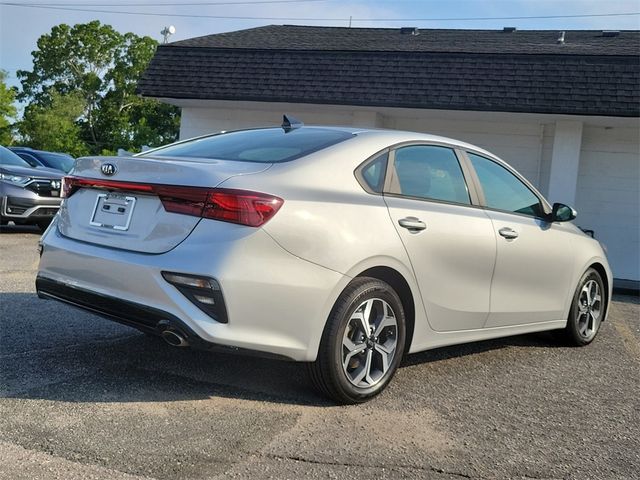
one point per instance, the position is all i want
(295, 37)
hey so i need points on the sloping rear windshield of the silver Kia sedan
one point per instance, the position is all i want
(267, 145)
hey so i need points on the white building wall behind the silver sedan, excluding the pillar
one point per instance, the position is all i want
(607, 193)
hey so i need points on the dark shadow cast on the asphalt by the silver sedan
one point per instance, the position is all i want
(59, 353)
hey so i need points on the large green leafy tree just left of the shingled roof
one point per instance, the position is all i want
(101, 67)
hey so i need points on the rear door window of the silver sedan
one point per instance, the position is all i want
(430, 172)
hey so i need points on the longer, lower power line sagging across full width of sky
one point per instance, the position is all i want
(242, 17)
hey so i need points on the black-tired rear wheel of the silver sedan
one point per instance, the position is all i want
(327, 373)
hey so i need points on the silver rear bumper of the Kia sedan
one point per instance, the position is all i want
(277, 303)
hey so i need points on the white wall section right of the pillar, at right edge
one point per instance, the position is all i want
(608, 194)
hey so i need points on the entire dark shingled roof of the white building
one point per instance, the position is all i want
(521, 71)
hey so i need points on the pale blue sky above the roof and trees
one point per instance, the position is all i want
(20, 27)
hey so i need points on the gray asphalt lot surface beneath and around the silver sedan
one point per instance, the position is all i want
(83, 398)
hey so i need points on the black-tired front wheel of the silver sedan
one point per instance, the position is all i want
(585, 319)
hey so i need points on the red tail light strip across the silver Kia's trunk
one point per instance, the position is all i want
(236, 206)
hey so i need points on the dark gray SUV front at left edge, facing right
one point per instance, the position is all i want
(27, 195)
